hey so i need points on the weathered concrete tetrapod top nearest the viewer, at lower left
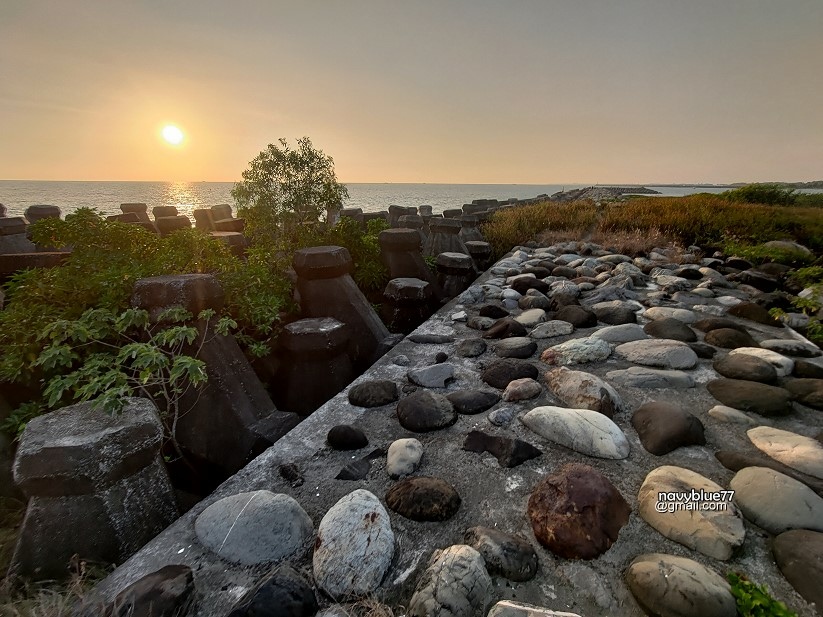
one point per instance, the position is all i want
(96, 486)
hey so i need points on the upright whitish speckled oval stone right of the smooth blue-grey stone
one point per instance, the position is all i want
(354, 546)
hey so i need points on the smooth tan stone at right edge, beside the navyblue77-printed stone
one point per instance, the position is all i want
(776, 502)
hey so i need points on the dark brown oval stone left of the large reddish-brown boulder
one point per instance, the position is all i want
(423, 498)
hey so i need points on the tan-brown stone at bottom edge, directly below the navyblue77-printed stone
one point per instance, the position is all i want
(677, 586)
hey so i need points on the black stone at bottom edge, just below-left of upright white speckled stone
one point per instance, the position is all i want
(284, 594)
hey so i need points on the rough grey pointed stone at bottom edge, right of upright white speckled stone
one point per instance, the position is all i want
(456, 584)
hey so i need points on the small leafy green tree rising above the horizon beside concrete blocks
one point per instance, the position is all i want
(285, 188)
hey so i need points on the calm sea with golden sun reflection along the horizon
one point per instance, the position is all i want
(106, 197)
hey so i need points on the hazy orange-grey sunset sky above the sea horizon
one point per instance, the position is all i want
(467, 91)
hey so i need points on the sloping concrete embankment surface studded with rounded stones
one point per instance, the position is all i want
(578, 431)
